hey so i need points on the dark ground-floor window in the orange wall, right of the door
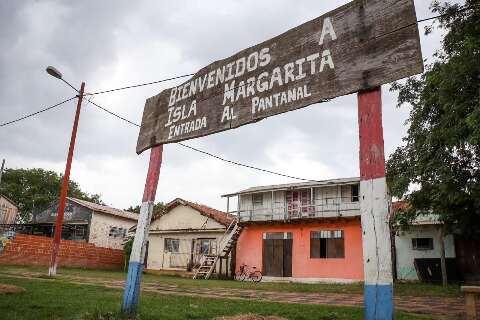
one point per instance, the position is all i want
(327, 244)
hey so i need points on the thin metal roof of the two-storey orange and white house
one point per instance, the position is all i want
(298, 185)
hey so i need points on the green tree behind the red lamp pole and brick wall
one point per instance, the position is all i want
(35, 189)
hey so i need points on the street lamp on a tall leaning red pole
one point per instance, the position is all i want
(52, 270)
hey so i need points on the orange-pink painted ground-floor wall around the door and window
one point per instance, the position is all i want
(250, 244)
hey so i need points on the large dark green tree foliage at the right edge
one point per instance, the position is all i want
(438, 167)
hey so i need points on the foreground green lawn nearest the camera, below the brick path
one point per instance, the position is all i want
(58, 299)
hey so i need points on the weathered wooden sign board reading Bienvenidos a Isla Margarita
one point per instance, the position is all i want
(360, 45)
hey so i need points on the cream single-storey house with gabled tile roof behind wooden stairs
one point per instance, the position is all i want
(183, 233)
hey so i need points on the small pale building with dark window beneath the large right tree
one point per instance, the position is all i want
(419, 246)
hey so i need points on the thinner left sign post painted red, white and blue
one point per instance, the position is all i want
(137, 256)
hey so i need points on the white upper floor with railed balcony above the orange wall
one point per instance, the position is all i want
(324, 199)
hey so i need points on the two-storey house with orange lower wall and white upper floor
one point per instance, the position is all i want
(305, 232)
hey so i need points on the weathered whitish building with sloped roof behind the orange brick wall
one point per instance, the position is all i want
(86, 221)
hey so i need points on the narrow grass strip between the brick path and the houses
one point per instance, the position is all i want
(400, 289)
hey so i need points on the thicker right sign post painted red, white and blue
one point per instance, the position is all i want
(377, 260)
